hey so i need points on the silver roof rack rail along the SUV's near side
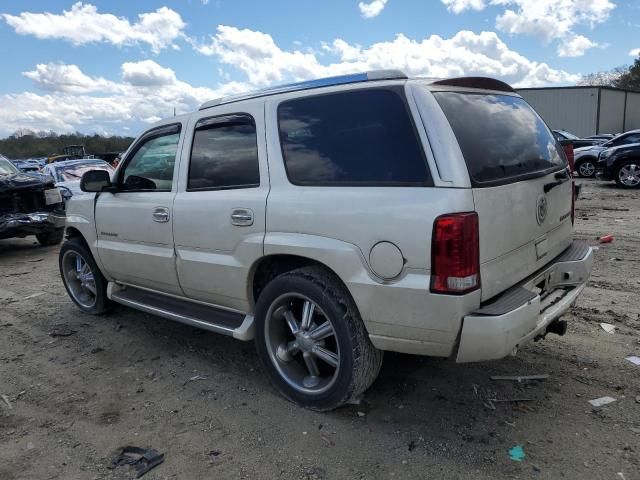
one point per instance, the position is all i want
(307, 85)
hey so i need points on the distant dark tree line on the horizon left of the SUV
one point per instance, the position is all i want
(28, 144)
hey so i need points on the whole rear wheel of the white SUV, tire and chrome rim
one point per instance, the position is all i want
(312, 341)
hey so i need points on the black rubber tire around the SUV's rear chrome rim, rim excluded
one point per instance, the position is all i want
(359, 360)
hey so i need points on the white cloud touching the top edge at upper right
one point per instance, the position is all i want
(548, 20)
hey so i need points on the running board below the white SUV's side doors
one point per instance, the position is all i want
(207, 317)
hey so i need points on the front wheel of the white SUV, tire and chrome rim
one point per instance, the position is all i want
(82, 278)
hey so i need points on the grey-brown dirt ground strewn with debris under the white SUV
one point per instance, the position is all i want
(81, 387)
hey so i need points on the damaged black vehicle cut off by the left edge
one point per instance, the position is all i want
(29, 206)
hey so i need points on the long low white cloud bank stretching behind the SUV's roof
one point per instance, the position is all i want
(71, 99)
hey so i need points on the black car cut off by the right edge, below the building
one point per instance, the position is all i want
(622, 164)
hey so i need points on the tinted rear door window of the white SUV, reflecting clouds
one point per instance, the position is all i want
(224, 155)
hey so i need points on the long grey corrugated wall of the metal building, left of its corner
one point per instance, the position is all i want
(571, 109)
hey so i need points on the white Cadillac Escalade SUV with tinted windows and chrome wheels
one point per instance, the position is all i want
(334, 219)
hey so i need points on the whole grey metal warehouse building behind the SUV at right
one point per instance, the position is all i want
(586, 110)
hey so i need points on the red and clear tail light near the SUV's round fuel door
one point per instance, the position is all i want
(455, 254)
